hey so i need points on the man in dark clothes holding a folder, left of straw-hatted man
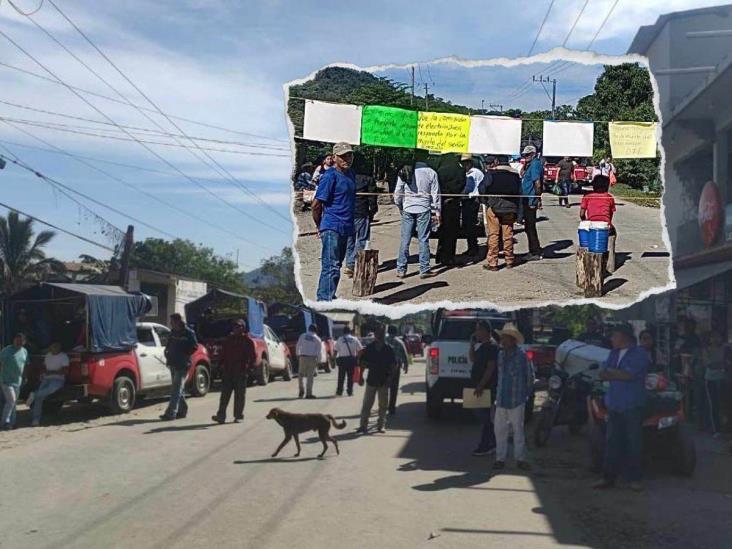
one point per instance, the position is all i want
(484, 375)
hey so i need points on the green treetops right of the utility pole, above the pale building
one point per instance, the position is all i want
(184, 258)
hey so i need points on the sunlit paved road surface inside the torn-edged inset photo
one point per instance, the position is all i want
(642, 254)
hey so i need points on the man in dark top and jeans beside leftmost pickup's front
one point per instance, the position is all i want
(181, 345)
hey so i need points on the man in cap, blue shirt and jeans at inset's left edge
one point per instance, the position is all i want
(333, 209)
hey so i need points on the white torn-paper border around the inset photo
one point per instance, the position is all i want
(364, 306)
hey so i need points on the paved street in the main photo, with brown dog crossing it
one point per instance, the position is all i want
(132, 481)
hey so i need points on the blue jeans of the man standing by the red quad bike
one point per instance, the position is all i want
(624, 449)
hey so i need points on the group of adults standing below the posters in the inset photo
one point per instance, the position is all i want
(446, 195)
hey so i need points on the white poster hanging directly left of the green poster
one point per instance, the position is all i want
(332, 122)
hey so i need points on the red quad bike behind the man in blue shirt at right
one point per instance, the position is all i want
(665, 433)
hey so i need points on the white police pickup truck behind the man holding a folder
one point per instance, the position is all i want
(448, 366)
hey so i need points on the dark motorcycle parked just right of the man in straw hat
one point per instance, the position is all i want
(565, 405)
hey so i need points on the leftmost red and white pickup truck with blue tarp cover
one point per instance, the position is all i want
(113, 358)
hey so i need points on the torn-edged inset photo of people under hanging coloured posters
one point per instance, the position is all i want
(506, 184)
